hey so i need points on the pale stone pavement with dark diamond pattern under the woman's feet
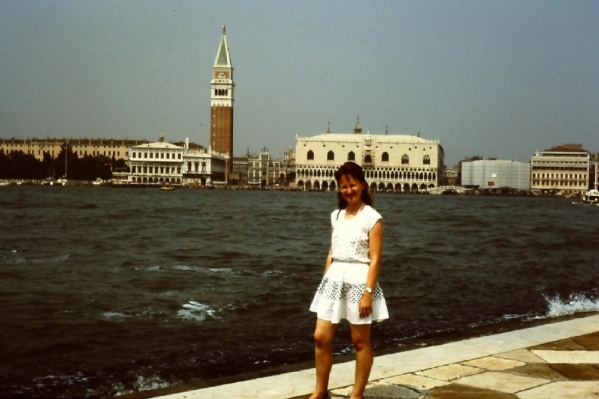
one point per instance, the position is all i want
(553, 361)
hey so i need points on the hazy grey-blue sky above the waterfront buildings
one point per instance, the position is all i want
(489, 78)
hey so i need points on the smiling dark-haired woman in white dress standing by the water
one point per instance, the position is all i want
(349, 289)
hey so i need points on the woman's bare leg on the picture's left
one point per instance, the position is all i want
(323, 355)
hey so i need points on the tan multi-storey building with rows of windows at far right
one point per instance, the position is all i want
(562, 169)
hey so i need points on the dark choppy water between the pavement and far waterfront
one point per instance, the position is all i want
(110, 291)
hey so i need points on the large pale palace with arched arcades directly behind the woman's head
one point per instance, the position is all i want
(391, 162)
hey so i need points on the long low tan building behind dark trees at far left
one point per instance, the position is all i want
(112, 148)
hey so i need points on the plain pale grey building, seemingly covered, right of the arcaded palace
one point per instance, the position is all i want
(496, 175)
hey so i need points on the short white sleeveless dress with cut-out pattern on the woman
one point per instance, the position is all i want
(340, 291)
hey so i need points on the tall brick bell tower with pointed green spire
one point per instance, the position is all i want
(221, 102)
